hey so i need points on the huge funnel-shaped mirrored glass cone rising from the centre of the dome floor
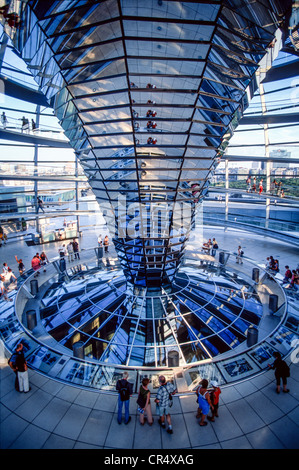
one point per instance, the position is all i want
(81, 56)
